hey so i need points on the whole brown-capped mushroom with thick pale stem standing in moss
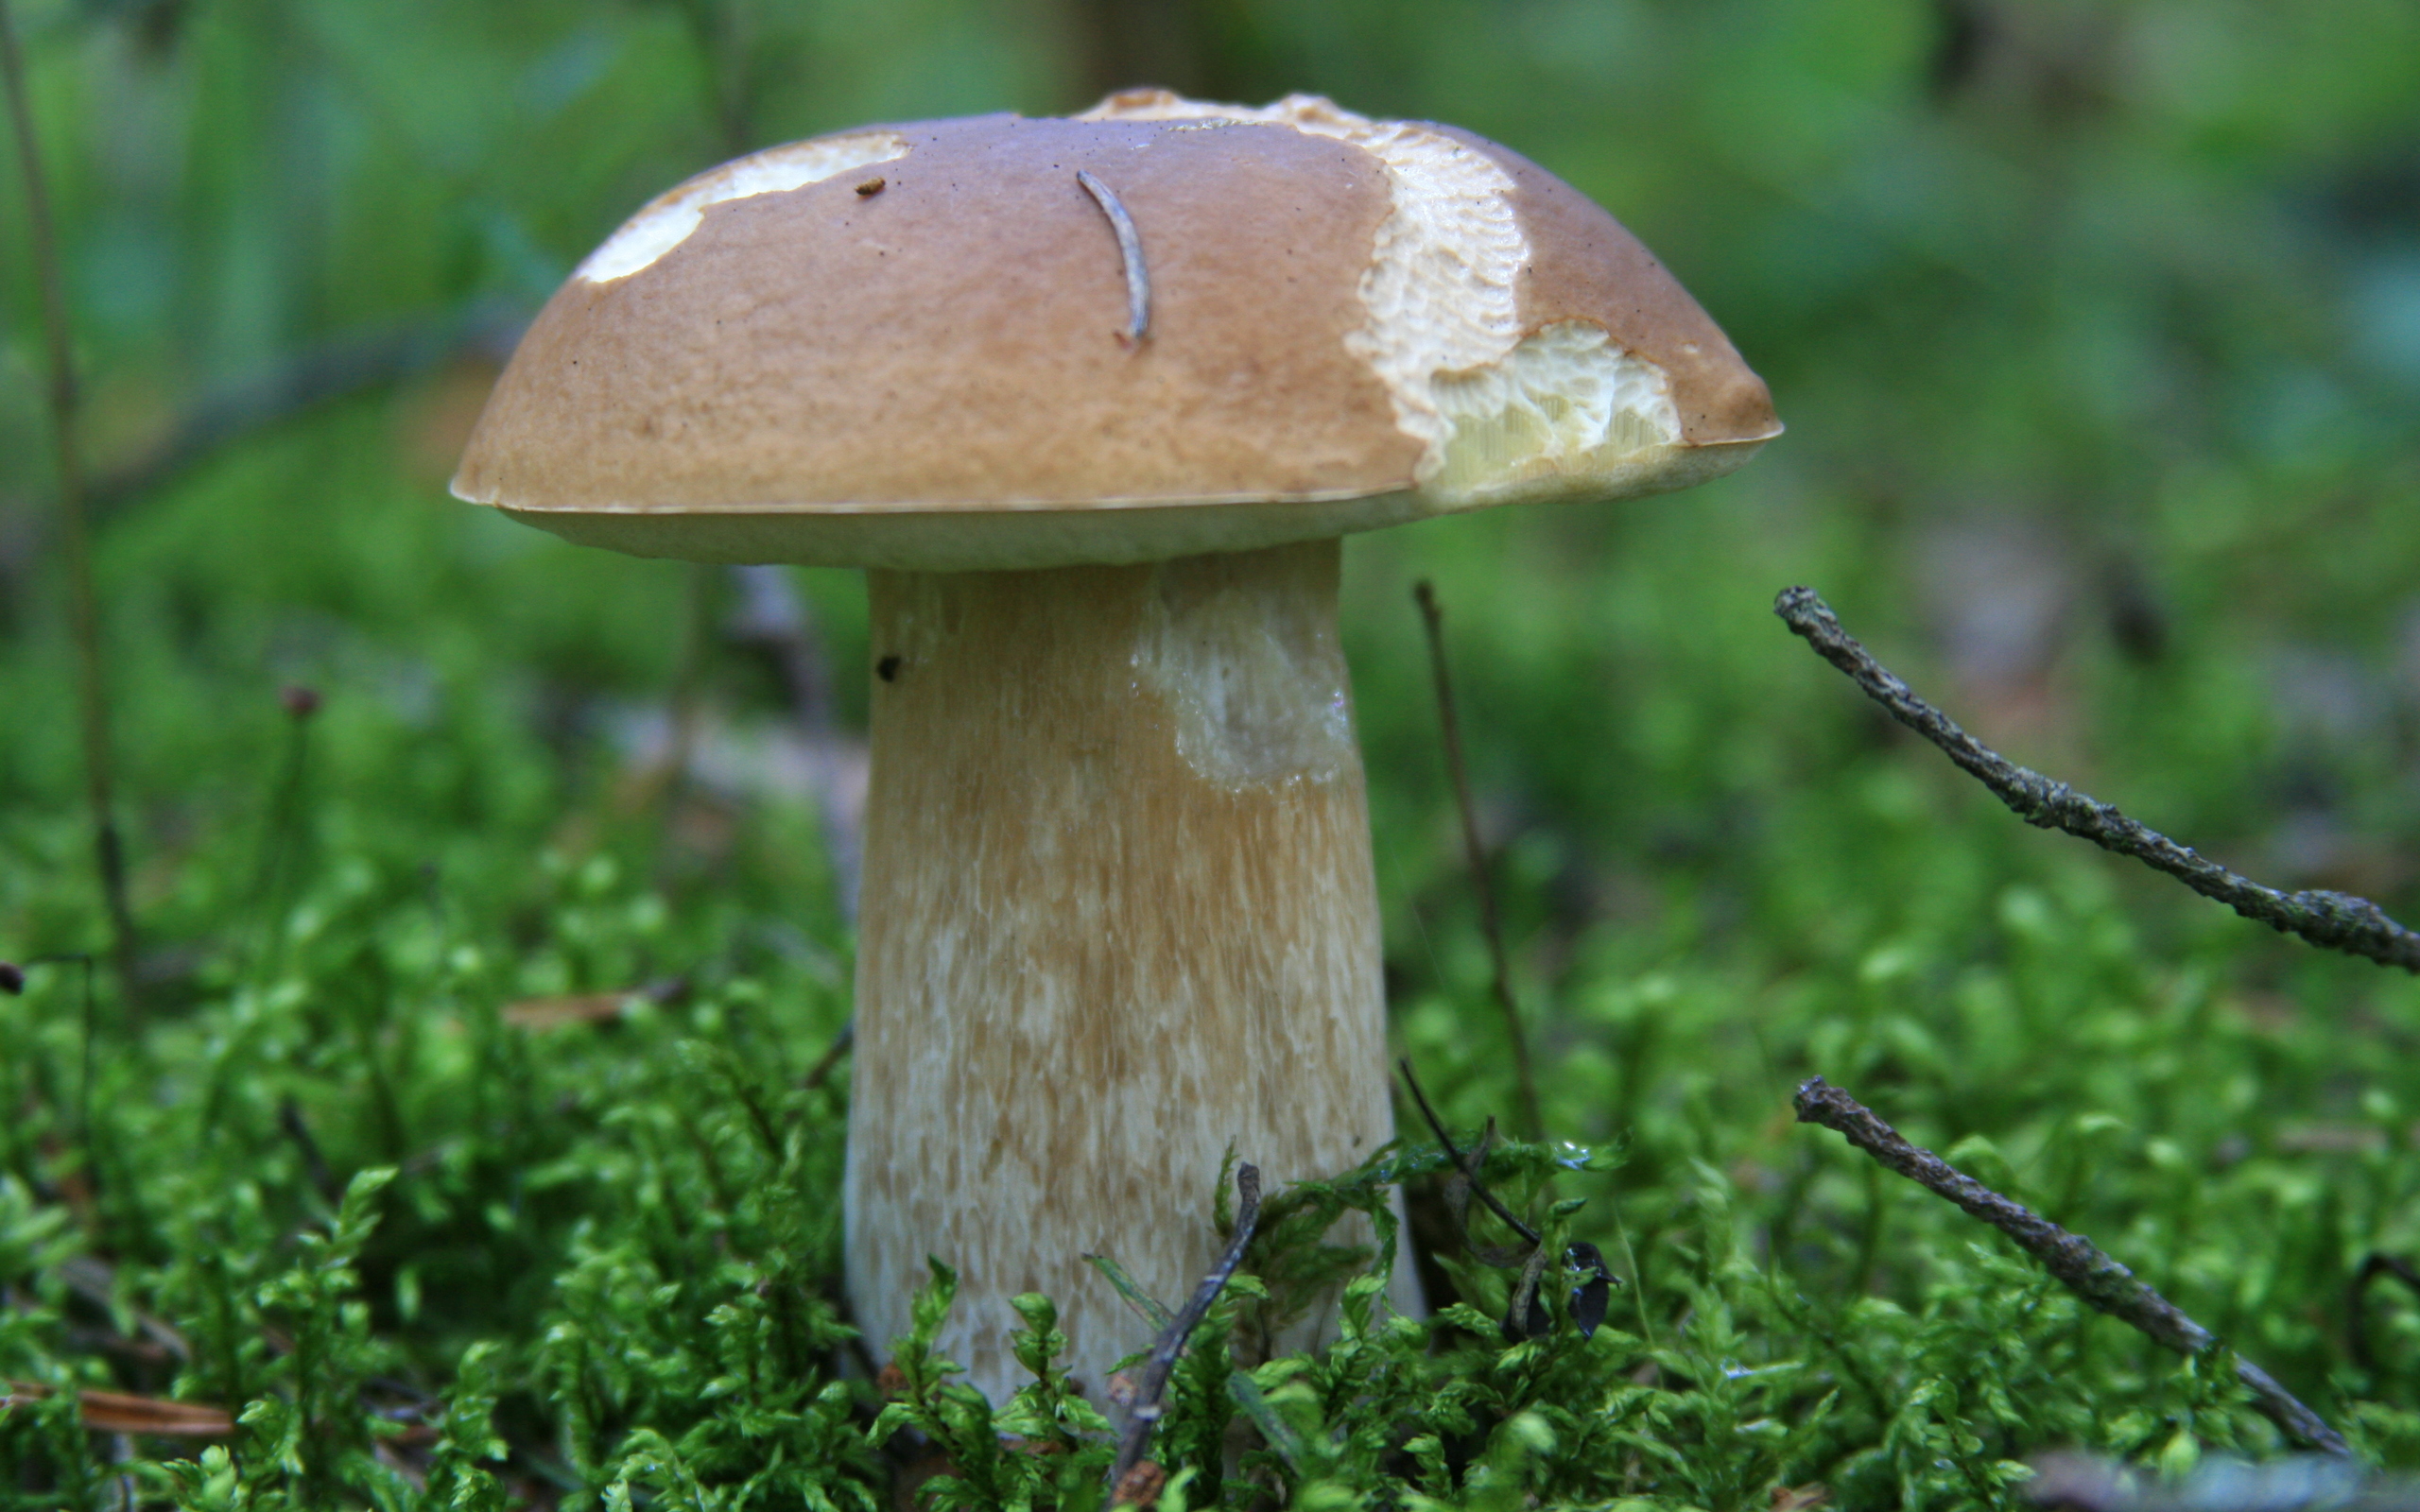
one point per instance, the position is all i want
(1095, 400)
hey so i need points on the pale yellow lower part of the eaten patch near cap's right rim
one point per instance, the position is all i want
(1562, 403)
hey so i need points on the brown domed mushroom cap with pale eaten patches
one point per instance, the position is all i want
(1151, 330)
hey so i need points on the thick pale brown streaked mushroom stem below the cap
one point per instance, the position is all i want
(1119, 918)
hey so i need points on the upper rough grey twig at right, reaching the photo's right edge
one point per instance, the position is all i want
(2334, 921)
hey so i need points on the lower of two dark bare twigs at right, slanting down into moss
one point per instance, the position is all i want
(2090, 1274)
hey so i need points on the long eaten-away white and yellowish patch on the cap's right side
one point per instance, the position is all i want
(1487, 405)
